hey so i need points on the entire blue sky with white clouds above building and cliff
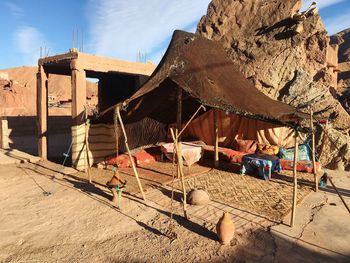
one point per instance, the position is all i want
(116, 28)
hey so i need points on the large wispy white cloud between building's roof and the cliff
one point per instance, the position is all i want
(122, 28)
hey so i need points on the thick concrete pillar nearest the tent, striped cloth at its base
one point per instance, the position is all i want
(78, 82)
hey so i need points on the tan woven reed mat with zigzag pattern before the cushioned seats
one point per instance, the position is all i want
(272, 199)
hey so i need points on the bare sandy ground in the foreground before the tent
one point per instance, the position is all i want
(47, 217)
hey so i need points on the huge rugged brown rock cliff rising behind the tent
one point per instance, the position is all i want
(288, 56)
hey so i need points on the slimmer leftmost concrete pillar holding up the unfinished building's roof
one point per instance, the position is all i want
(42, 105)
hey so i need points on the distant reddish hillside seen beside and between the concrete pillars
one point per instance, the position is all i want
(18, 92)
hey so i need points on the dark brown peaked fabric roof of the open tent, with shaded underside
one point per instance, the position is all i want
(207, 76)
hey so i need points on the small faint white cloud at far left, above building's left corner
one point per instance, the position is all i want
(28, 41)
